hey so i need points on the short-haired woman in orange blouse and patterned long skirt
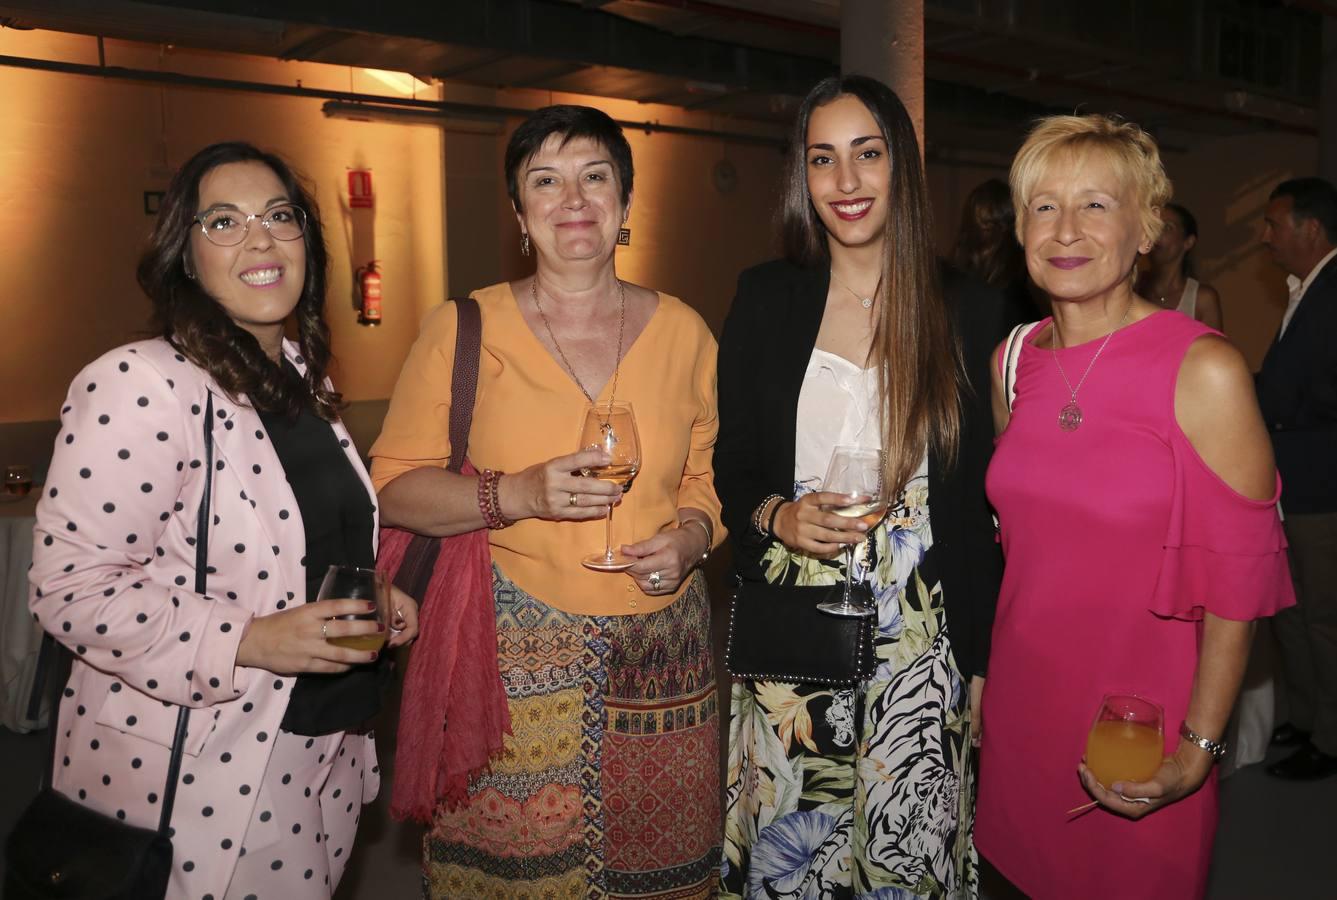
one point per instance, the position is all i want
(609, 783)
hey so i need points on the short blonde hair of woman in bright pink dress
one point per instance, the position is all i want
(1130, 152)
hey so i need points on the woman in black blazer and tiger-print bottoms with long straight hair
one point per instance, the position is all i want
(858, 791)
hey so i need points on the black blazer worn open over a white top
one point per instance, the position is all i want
(764, 352)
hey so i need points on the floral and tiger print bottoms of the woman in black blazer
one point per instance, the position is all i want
(866, 792)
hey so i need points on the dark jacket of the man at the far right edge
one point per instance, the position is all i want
(1298, 394)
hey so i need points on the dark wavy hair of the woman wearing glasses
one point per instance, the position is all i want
(199, 327)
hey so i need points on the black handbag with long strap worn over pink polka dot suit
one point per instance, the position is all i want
(59, 850)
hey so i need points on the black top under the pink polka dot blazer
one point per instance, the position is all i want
(338, 518)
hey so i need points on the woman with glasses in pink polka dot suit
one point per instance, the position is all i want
(276, 767)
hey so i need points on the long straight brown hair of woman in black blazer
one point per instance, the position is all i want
(915, 351)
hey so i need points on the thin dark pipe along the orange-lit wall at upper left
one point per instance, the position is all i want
(348, 102)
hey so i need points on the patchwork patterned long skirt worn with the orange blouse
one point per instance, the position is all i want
(609, 786)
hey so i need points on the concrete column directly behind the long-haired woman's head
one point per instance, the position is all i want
(884, 39)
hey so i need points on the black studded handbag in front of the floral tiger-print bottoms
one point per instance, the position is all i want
(777, 633)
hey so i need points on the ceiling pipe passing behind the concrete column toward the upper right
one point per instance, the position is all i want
(986, 66)
